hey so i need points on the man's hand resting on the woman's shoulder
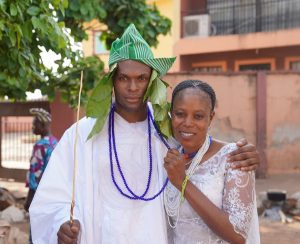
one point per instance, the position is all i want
(245, 158)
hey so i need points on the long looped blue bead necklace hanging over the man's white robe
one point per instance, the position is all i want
(113, 150)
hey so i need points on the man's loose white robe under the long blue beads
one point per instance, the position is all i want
(105, 215)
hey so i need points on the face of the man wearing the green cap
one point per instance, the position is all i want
(130, 84)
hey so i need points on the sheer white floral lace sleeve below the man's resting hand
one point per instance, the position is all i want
(238, 199)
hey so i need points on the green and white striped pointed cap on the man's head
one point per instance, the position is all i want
(133, 46)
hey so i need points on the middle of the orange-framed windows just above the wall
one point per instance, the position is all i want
(255, 65)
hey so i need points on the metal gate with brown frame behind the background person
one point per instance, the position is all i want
(16, 137)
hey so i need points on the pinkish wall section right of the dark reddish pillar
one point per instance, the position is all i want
(283, 122)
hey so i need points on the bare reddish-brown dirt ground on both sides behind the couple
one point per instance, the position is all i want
(270, 231)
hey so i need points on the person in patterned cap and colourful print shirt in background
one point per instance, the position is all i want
(41, 152)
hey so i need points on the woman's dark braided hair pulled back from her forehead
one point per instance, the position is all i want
(197, 84)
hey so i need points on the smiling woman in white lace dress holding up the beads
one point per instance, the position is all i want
(208, 201)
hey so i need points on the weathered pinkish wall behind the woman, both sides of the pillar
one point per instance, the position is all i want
(236, 114)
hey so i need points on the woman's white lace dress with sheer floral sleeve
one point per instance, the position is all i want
(230, 190)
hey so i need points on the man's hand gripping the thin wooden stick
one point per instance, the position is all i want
(68, 234)
